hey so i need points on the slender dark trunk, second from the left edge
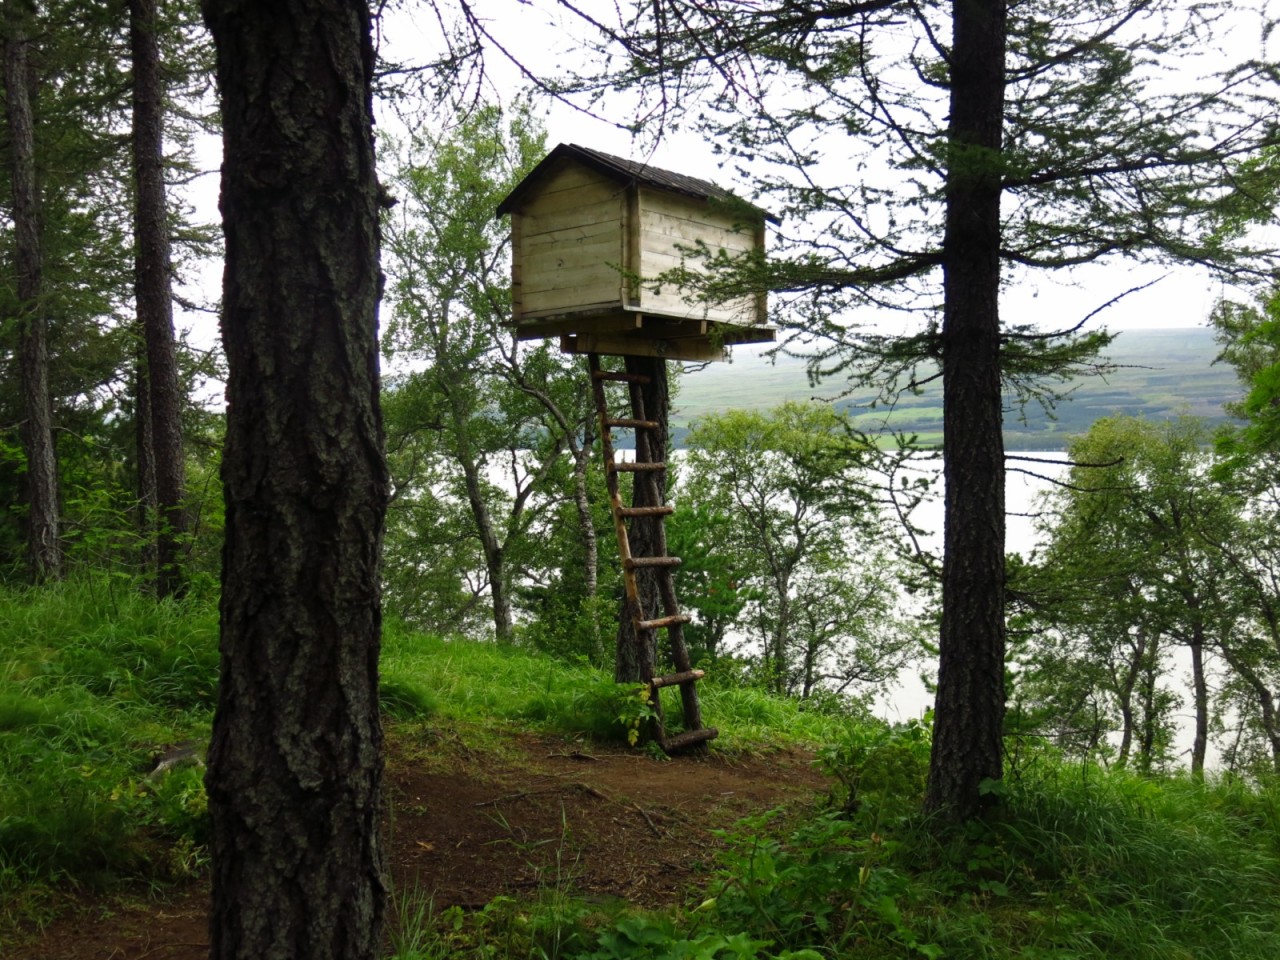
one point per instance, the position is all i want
(154, 299)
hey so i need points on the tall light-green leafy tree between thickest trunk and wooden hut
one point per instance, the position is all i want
(506, 418)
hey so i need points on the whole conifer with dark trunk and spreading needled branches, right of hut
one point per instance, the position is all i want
(936, 154)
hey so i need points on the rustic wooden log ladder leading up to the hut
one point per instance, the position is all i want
(646, 470)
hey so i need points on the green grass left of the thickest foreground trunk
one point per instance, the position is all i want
(95, 682)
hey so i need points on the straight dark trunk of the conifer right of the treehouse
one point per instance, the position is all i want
(971, 698)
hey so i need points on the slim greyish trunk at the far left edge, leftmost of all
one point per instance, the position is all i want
(44, 546)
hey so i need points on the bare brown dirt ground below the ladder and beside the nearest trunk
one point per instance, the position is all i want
(468, 824)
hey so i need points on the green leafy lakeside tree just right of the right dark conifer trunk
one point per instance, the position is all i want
(1137, 548)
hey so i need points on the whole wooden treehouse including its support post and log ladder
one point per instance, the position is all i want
(591, 236)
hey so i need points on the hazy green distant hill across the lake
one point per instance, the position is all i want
(1160, 374)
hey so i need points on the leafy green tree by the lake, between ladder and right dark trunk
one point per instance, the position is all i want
(801, 528)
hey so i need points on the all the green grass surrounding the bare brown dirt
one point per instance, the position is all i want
(1081, 862)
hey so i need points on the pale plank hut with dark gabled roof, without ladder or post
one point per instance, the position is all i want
(591, 236)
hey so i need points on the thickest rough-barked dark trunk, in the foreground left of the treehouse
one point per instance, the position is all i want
(295, 767)
